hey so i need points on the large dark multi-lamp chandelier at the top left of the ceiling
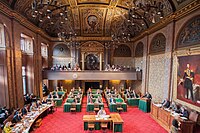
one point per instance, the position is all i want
(49, 9)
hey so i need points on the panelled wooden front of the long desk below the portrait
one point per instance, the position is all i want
(165, 118)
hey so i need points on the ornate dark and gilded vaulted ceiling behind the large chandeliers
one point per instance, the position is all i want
(94, 17)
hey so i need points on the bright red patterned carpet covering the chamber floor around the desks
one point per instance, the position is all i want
(135, 121)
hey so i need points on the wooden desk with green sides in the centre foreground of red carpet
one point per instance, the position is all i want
(115, 121)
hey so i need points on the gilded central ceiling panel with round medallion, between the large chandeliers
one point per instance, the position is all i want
(92, 20)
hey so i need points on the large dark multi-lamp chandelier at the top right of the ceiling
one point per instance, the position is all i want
(145, 10)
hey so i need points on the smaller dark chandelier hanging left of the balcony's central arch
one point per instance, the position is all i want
(70, 39)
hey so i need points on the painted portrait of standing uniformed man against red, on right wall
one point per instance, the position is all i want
(188, 88)
